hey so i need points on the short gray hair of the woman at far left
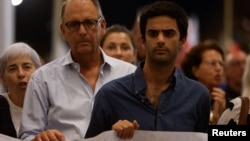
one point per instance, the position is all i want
(16, 49)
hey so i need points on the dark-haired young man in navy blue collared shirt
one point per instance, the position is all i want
(157, 96)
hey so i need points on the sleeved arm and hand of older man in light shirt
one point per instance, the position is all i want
(34, 117)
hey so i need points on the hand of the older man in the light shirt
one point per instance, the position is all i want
(50, 135)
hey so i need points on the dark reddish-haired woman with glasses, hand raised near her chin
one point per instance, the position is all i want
(205, 63)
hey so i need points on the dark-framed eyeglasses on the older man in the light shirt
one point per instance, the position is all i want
(88, 24)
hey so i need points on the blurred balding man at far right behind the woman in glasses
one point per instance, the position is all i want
(235, 60)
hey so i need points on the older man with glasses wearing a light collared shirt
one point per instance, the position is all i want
(60, 94)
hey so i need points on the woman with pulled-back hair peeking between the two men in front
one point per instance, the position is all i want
(118, 42)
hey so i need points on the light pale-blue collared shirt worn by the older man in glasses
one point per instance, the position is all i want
(59, 97)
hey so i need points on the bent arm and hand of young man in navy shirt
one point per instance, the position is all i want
(104, 117)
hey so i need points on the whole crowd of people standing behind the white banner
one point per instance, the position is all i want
(114, 78)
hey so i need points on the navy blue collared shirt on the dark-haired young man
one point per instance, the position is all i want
(183, 106)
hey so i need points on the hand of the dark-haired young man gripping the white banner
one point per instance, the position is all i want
(125, 129)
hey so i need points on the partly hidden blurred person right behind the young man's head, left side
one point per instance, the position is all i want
(141, 51)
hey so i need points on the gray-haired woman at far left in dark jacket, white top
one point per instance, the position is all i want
(17, 63)
